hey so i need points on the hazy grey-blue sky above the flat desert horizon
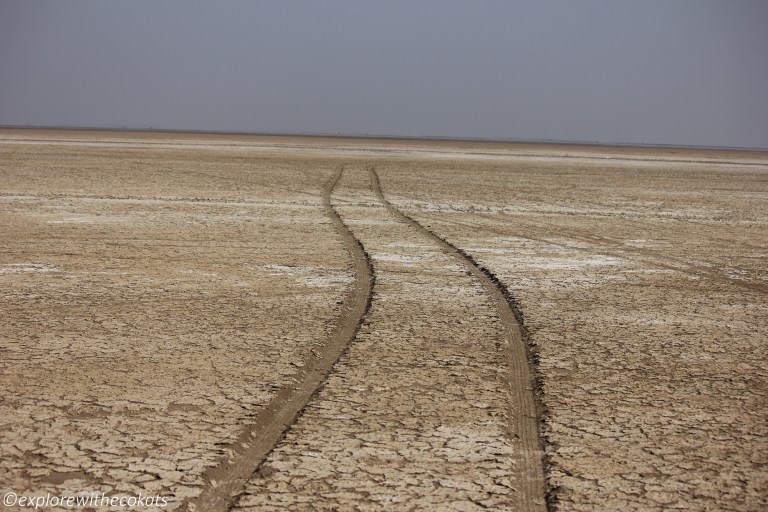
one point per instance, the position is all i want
(650, 71)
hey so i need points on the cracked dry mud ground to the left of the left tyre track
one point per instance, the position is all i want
(154, 303)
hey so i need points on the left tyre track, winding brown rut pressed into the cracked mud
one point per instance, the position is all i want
(226, 481)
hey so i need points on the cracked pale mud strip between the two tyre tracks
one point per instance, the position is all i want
(416, 414)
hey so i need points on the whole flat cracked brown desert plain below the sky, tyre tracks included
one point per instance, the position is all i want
(284, 323)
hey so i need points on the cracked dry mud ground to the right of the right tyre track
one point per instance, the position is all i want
(644, 287)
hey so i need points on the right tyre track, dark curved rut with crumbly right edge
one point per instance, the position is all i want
(527, 411)
